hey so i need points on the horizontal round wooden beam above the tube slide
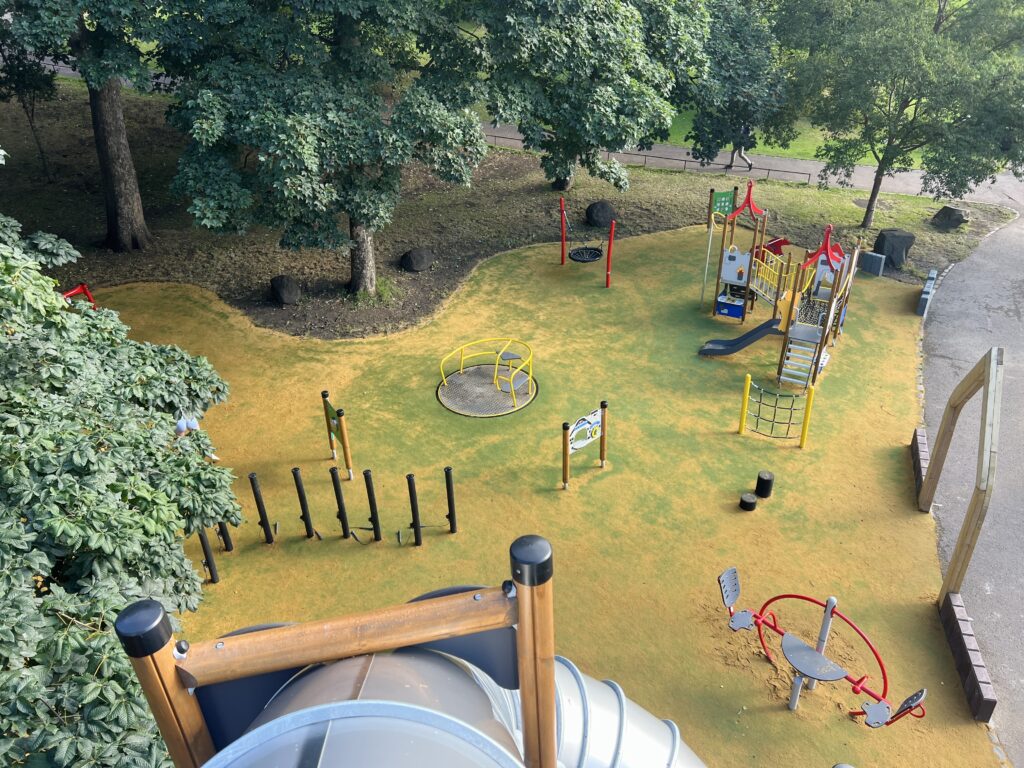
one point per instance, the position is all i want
(302, 645)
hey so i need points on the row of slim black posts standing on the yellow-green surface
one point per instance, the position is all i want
(348, 532)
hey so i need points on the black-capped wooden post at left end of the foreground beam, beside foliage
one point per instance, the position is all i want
(145, 631)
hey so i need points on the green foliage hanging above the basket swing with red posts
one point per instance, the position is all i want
(582, 77)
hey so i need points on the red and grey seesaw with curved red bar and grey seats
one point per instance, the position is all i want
(810, 664)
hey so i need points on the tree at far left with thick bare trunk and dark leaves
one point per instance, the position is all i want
(107, 41)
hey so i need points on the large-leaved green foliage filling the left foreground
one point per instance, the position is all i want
(96, 491)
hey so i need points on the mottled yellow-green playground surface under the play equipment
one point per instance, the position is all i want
(638, 545)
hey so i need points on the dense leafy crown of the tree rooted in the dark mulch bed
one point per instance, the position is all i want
(308, 111)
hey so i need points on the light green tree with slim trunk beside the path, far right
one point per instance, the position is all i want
(940, 80)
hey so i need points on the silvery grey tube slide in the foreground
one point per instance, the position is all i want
(425, 709)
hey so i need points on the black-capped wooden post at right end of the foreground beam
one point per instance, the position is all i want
(532, 573)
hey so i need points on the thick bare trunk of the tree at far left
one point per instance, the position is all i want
(126, 228)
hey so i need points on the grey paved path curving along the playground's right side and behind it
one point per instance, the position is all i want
(979, 305)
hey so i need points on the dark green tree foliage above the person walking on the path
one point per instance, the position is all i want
(743, 95)
